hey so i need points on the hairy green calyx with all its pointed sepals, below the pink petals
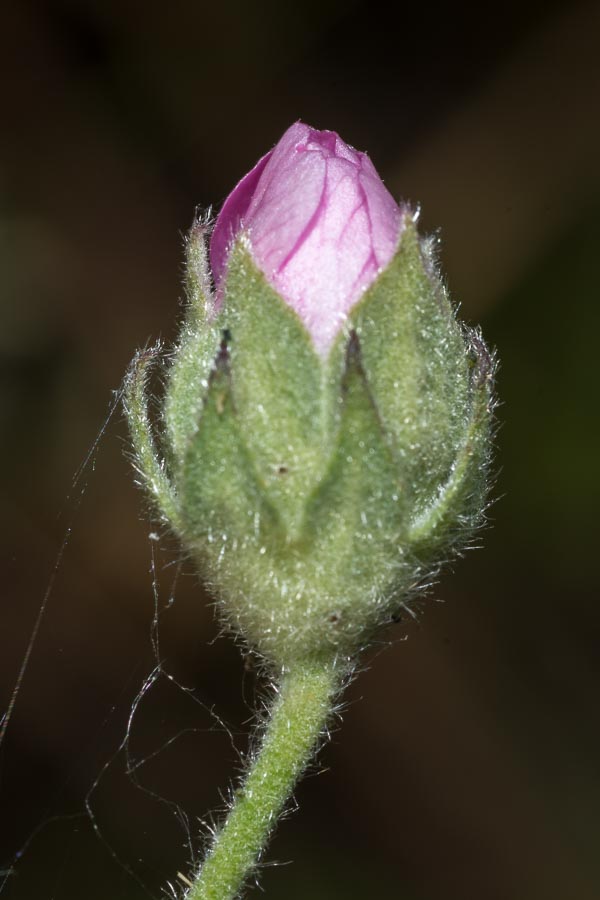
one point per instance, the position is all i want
(316, 494)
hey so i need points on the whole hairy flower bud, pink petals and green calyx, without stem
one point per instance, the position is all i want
(327, 418)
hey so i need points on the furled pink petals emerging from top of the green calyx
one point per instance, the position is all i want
(320, 222)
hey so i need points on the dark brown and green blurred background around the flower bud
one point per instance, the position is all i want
(467, 765)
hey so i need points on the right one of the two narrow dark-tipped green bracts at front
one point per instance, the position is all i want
(355, 520)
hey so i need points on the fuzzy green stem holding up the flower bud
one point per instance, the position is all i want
(300, 712)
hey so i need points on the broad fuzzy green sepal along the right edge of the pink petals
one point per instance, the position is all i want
(416, 363)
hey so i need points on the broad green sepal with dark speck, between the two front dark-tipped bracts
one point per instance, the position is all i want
(277, 386)
